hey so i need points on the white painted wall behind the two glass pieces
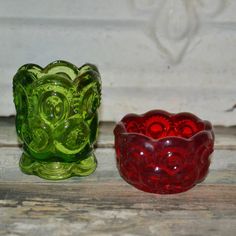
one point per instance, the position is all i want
(177, 55)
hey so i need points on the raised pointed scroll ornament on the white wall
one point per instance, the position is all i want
(174, 24)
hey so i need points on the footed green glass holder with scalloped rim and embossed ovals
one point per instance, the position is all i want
(57, 118)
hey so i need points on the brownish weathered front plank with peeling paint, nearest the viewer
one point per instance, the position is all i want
(115, 209)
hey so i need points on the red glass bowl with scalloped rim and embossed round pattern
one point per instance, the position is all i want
(161, 152)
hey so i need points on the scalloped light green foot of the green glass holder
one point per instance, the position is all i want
(57, 170)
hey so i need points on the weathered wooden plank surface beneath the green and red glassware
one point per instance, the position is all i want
(103, 204)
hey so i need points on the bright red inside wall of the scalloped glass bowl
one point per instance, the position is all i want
(158, 125)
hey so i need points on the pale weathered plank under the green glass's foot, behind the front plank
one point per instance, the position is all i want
(222, 169)
